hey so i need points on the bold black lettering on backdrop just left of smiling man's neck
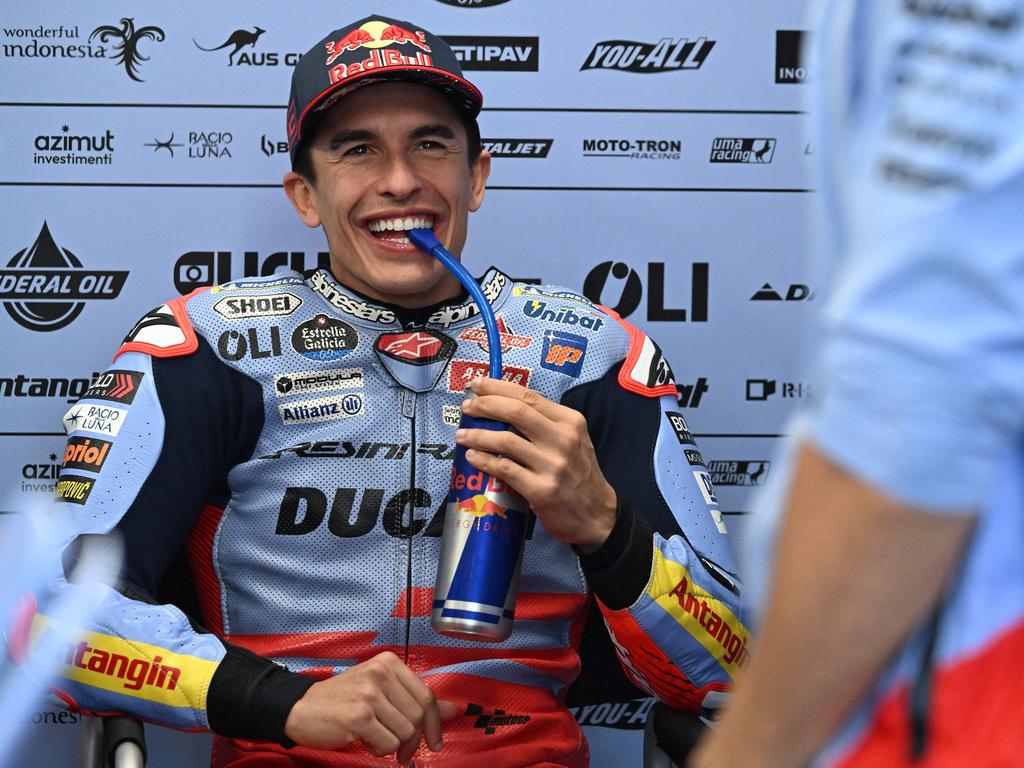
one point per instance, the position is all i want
(200, 269)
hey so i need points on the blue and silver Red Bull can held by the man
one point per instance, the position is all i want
(482, 551)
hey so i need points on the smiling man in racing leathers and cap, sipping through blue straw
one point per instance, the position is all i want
(287, 443)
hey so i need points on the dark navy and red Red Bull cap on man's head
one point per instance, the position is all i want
(367, 52)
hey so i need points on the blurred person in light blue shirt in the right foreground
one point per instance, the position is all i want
(892, 631)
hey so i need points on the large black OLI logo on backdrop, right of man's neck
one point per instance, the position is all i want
(632, 289)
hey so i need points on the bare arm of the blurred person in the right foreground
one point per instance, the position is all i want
(844, 546)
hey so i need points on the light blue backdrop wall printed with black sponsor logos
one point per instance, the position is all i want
(649, 154)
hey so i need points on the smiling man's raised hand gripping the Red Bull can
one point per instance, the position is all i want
(550, 462)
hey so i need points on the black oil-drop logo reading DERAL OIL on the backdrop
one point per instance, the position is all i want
(45, 287)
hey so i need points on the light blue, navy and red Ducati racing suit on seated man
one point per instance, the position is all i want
(294, 441)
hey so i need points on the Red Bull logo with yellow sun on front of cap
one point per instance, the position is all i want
(378, 38)
